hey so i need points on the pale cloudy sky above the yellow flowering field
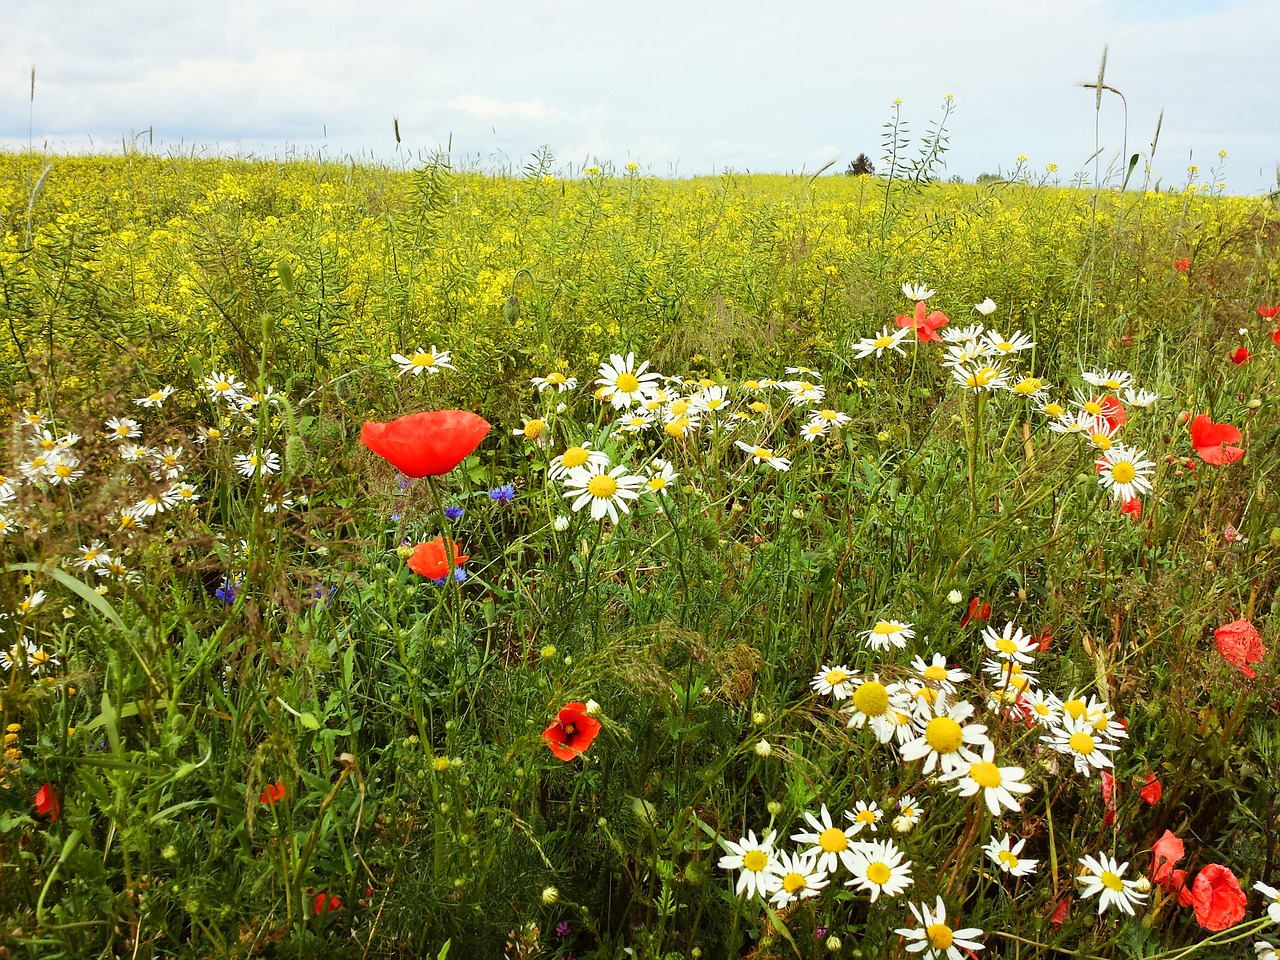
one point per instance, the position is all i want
(682, 88)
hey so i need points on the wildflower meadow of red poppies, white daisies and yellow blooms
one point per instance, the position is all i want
(564, 563)
